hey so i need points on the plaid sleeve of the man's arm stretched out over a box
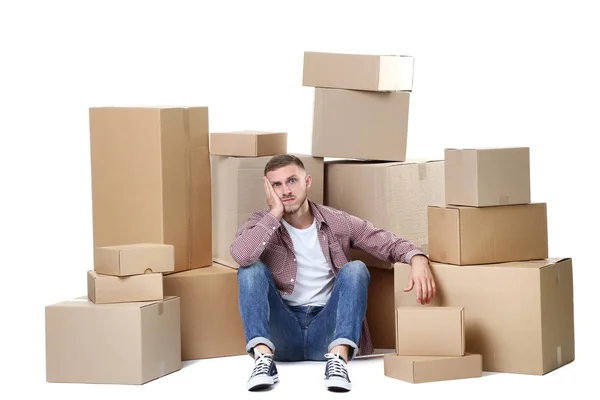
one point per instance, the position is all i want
(381, 243)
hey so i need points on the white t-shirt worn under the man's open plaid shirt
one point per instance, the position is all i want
(314, 278)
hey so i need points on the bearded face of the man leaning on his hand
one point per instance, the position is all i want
(290, 184)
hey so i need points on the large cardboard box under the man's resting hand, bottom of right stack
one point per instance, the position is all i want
(519, 314)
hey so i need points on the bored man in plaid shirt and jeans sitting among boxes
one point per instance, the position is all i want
(300, 295)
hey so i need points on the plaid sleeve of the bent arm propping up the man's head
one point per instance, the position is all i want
(253, 237)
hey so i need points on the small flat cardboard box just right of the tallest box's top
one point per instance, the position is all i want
(248, 143)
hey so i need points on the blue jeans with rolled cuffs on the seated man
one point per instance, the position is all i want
(303, 332)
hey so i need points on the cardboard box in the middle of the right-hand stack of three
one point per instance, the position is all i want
(480, 235)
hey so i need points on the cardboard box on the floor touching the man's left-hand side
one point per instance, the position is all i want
(211, 325)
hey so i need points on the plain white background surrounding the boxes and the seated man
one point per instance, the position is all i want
(500, 74)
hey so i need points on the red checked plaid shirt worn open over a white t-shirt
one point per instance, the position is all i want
(263, 238)
